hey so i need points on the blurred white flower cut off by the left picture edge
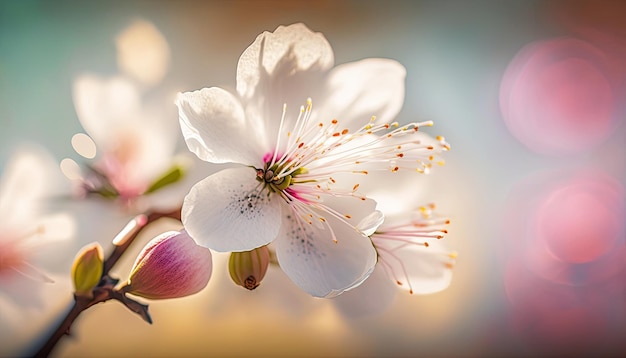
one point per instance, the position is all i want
(33, 245)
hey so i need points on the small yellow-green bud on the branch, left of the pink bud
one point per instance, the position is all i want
(87, 269)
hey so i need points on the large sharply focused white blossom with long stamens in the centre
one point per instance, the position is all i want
(285, 191)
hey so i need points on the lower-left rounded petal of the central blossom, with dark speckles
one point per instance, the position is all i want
(228, 211)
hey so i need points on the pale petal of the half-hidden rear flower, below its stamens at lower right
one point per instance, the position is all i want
(427, 268)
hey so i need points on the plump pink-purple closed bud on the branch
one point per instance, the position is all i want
(171, 265)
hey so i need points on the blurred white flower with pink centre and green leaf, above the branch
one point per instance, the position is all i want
(133, 143)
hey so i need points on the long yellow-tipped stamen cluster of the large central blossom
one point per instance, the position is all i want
(313, 153)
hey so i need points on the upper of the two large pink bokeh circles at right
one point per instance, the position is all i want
(556, 97)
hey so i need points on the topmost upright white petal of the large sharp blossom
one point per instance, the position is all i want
(285, 67)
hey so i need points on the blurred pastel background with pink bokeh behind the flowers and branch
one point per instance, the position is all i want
(530, 95)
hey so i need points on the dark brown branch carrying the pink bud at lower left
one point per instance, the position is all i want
(106, 290)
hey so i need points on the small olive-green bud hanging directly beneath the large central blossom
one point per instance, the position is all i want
(248, 268)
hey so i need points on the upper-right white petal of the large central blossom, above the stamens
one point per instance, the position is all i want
(357, 91)
